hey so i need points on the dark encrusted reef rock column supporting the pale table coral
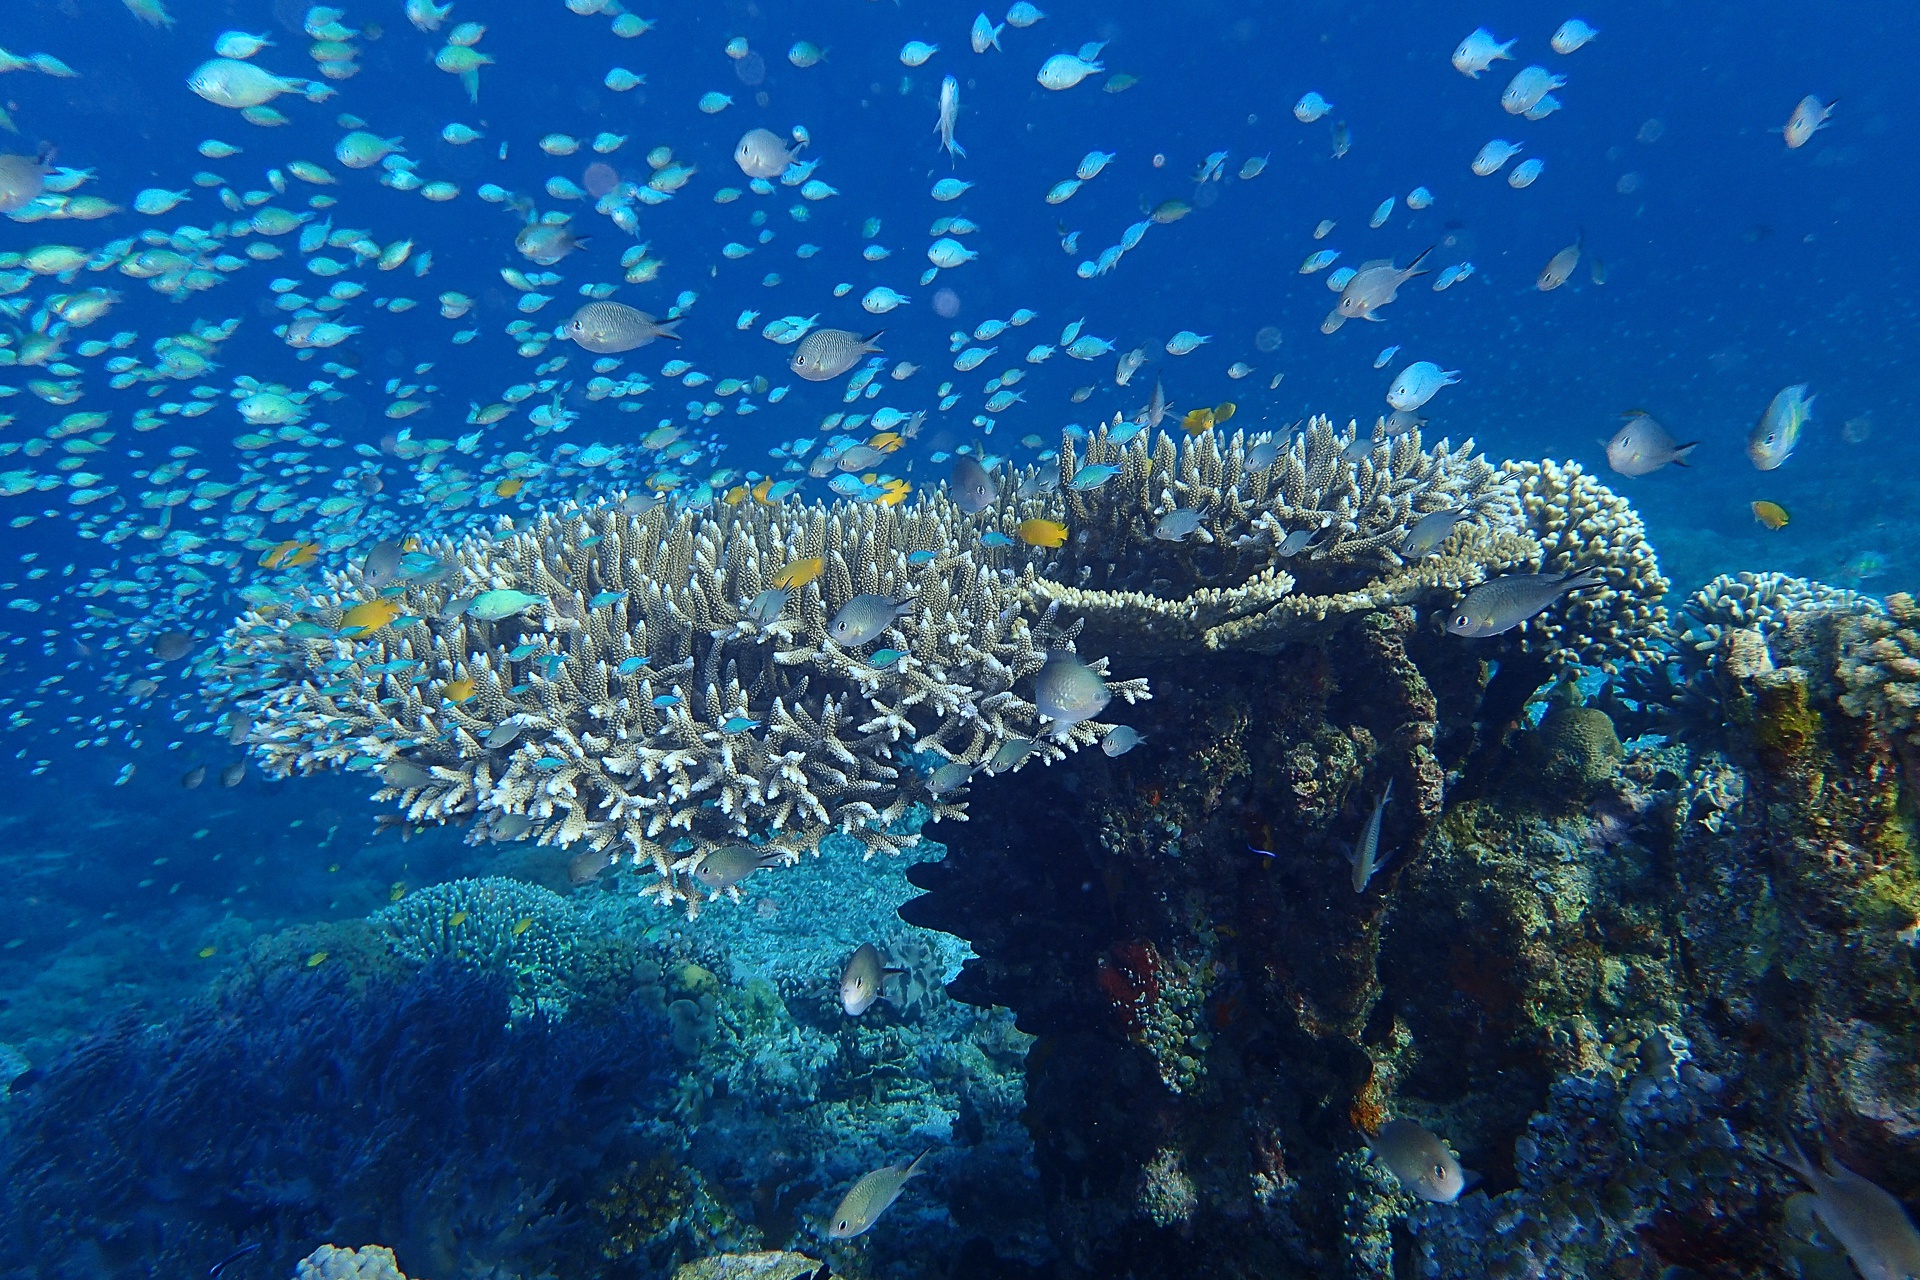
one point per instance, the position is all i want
(1606, 976)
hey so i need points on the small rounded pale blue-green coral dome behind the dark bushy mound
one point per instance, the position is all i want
(523, 932)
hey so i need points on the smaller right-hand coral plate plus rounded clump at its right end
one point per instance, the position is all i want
(1289, 550)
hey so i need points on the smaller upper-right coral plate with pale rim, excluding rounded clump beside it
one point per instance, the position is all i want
(1243, 579)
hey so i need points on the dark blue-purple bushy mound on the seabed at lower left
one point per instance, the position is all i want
(312, 1108)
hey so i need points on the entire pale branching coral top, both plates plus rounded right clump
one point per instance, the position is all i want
(667, 684)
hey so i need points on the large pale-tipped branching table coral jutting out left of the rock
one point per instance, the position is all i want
(640, 701)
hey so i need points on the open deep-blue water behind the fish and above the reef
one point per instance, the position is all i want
(1717, 268)
